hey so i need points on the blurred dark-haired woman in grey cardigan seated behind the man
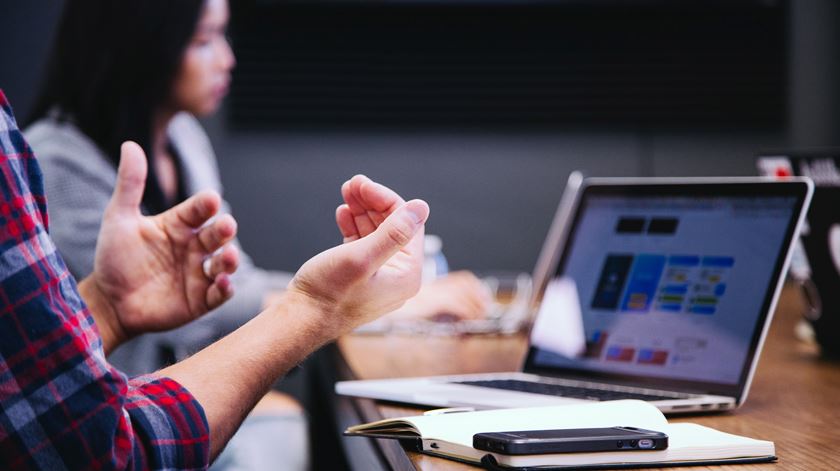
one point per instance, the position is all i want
(142, 71)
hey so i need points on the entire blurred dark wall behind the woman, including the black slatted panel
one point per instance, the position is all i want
(483, 107)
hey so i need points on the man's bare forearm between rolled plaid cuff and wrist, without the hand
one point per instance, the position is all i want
(230, 376)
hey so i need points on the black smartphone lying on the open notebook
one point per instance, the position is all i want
(572, 440)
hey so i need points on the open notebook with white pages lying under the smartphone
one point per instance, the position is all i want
(449, 435)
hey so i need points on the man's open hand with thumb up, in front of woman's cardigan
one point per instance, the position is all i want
(150, 272)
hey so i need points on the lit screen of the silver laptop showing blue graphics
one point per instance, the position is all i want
(673, 282)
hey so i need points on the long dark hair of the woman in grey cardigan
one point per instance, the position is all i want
(112, 65)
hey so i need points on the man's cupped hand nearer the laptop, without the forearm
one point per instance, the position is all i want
(379, 265)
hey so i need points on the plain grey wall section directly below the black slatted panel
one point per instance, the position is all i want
(492, 194)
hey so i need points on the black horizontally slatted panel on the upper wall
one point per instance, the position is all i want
(656, 63)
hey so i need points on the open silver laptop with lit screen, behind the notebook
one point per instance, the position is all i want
(653, 289)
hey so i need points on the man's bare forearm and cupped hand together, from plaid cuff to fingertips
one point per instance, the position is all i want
(374, 272)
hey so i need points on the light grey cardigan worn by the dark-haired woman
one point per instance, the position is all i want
(79, 180)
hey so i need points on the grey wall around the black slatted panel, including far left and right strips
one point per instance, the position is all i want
(492, 191)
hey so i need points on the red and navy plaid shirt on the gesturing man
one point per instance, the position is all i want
(62, 406)
